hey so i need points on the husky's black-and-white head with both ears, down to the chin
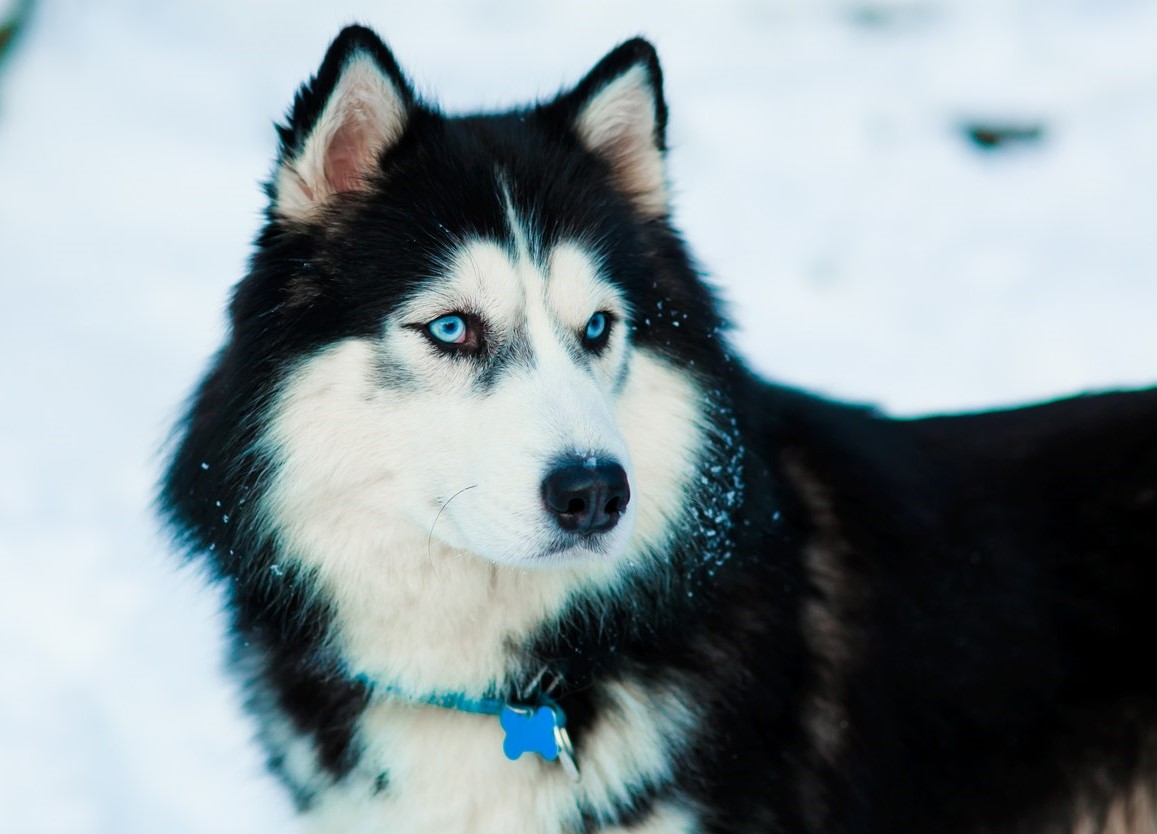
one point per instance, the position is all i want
(469, 306)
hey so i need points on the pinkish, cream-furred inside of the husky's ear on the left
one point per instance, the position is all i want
(364, 116)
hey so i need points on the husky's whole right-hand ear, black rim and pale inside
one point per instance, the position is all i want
(618, 114)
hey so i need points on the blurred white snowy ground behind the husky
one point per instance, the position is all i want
(869, 252)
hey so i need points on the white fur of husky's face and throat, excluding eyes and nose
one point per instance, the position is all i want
(364, 474)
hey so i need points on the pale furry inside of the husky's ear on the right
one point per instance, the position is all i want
(618, 123)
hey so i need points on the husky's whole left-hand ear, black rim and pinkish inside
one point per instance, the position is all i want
(343, 121)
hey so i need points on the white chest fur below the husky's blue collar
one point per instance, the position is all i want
(447, 773)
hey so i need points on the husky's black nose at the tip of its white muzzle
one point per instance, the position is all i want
(587, 498)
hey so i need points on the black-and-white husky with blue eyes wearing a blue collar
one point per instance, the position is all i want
(514, 543)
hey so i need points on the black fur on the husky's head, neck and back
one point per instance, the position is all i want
(938, 625)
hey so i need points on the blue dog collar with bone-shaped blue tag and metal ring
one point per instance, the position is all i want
(540, 728)
